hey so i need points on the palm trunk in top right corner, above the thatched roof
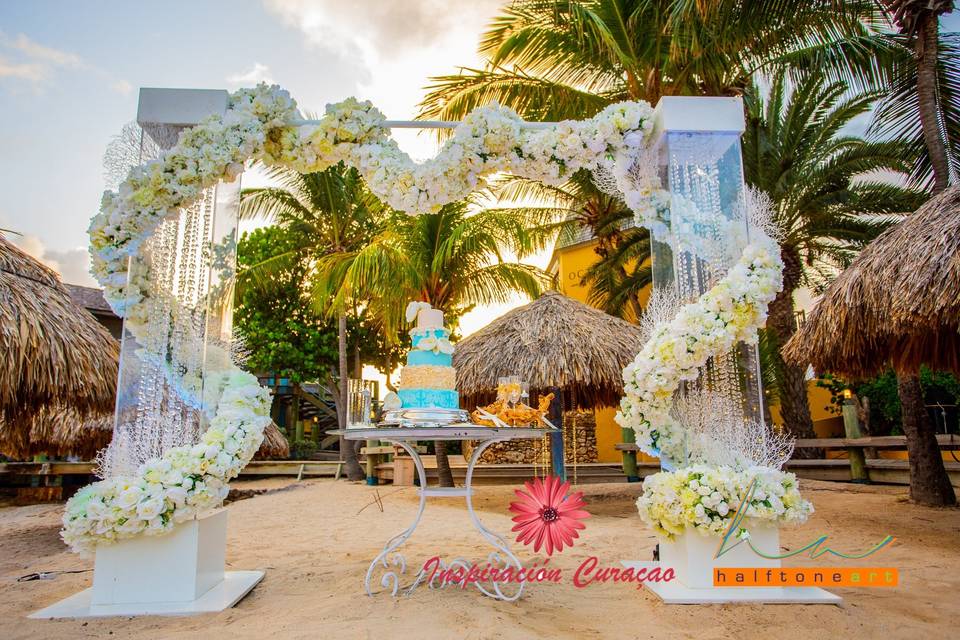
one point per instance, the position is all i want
(925, 50)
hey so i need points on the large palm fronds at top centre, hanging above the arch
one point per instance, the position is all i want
(551, 60)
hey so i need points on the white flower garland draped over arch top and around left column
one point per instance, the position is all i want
(260, 124)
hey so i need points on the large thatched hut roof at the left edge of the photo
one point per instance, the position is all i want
(56, 357)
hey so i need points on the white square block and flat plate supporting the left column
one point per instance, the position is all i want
(179, 573)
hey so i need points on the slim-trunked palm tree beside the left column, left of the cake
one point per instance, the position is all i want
(331, 213)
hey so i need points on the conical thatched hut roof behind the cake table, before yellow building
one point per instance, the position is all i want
(554, 341)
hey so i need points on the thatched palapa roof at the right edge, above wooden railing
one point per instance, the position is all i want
(897, 304)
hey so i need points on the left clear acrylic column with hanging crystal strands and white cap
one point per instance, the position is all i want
(191, 261)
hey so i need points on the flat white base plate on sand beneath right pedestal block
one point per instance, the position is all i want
(674, 592)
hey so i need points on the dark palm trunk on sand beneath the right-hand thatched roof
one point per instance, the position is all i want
(929, 482)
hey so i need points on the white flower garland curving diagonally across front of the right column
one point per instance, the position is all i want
(729, 313)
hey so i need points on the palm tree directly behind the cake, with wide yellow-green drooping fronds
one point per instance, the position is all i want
(451, 259)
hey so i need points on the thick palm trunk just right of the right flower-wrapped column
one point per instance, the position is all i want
(791, 379)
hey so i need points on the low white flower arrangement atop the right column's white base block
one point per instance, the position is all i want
(705, 498)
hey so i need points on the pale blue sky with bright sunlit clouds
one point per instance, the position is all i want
(69, 74)
